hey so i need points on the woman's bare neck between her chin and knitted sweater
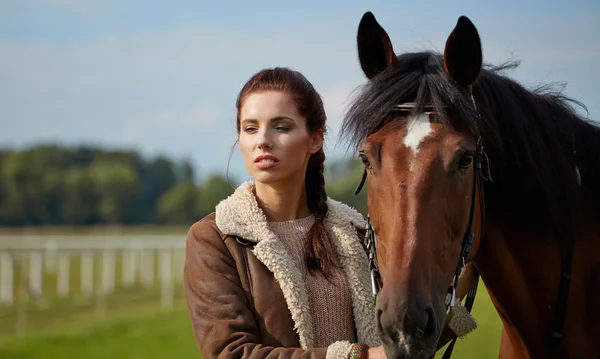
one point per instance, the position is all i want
(283, 202)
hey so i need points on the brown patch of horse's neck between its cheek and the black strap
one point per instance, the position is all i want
(521, 270)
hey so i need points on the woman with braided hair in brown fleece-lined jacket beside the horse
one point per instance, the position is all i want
(279, 271)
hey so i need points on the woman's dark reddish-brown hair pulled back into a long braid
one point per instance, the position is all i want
(319, 249)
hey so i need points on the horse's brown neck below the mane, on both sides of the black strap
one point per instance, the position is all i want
(521, 269)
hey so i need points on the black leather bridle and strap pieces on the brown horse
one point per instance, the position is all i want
(563, 292)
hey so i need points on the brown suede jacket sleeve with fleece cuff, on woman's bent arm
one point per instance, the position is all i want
(222, 321)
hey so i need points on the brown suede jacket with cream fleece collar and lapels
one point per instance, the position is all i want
(245, 297)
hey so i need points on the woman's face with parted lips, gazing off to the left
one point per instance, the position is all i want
(274, 139)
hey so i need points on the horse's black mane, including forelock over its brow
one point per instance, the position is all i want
(530, 136)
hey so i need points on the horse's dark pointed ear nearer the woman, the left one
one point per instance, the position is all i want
(375, 50)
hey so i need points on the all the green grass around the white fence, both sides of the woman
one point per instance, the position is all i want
(133, 326)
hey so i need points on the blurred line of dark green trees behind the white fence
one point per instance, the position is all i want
(85, 185)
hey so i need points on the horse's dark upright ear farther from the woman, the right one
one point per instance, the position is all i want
(462, 54)
